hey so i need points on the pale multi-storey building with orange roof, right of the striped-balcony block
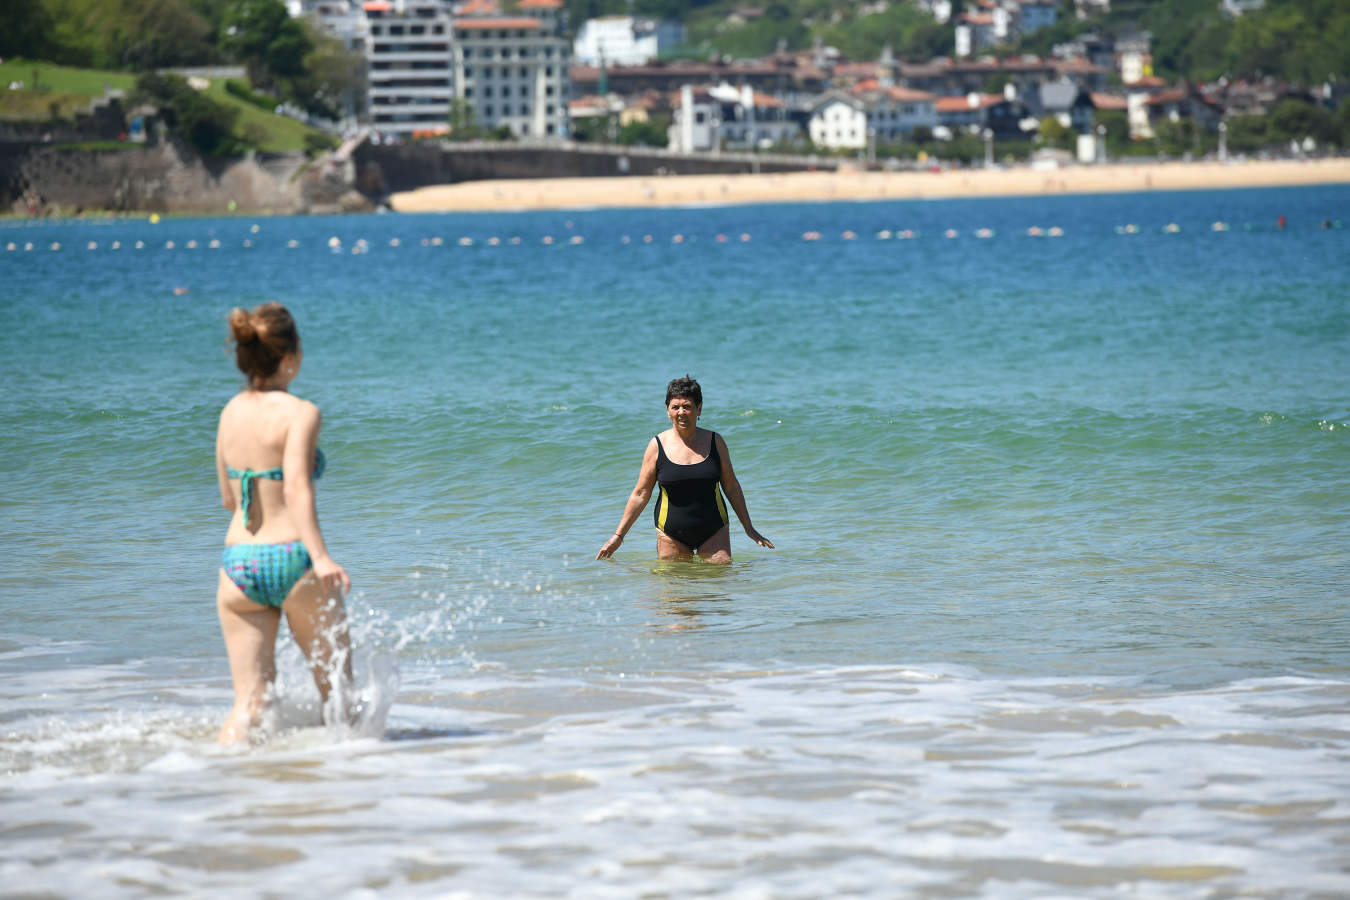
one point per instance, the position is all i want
(512, 71)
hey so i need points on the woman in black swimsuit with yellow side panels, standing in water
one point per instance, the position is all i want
(688, 465)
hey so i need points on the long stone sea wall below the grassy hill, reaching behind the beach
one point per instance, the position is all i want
(43, 179)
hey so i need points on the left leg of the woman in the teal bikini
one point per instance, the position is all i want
(250, 632)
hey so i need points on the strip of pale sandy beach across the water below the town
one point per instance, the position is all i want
(695, 191)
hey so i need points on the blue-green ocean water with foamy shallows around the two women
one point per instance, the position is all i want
(1059, 607)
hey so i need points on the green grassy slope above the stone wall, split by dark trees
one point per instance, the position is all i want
(72, 90)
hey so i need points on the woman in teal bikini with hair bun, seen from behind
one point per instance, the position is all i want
(275, 561)
